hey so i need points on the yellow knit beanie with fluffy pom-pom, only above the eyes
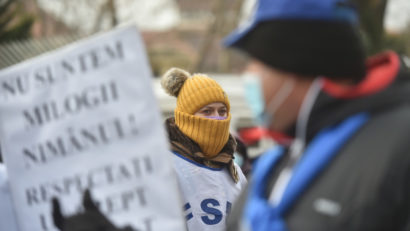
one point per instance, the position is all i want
(192, 92)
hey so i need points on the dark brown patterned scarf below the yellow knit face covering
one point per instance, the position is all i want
(188, 148)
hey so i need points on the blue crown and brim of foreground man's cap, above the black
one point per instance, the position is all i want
(322, 10)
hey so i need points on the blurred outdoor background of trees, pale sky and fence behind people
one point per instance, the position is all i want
(181, 33)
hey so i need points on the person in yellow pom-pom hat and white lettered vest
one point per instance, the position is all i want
(203, 149)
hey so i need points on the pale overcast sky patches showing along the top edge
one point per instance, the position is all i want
(163, 14)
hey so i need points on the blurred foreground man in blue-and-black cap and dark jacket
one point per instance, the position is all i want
(348, 167)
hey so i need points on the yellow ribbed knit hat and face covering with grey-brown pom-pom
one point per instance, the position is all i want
(193, 93)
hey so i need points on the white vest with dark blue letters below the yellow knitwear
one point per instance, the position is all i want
(207, 194)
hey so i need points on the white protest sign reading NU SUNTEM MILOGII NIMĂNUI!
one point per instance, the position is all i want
(85, 117)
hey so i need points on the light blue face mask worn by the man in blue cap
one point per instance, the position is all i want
(262, 115)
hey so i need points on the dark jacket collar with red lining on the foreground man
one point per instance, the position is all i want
(386, 85)
